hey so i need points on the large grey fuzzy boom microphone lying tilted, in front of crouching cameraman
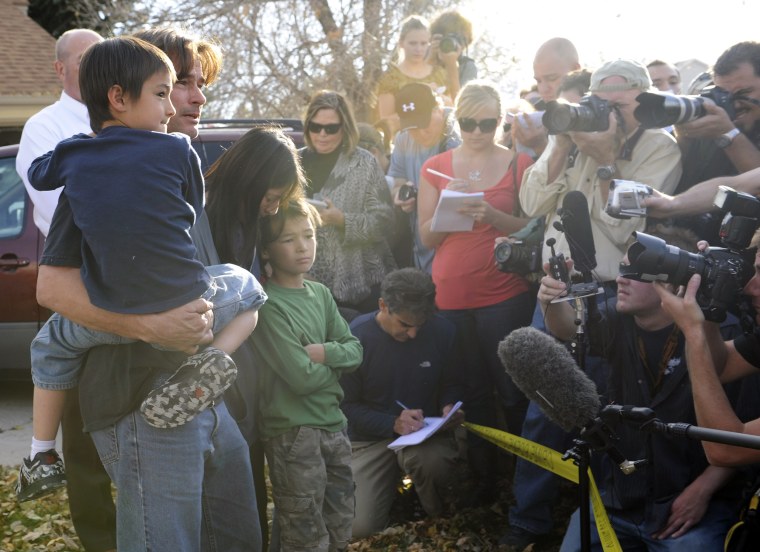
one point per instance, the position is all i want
(547, 374)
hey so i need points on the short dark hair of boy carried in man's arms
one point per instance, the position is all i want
(124, 61)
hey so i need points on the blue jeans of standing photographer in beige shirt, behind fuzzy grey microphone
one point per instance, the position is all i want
(535, 489)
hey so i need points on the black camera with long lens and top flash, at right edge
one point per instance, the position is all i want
(724, 270)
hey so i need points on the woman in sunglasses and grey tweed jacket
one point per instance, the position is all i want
(353, 255)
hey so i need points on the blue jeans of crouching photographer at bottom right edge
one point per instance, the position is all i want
(707, 535)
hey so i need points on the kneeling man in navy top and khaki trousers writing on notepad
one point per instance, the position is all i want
(408, 360)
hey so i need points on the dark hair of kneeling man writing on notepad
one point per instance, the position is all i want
(409, 290)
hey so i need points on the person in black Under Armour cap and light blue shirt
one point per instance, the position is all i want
(427, 129)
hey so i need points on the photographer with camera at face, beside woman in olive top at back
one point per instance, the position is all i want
(451, 35)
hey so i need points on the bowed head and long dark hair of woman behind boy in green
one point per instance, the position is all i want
(252, 179)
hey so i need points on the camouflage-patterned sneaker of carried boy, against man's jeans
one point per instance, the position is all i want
(201, 379)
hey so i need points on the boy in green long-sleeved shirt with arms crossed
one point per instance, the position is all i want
(302, 345)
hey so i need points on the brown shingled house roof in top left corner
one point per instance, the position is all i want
(29, 52)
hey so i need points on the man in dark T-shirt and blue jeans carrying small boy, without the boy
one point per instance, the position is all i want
(217, 502)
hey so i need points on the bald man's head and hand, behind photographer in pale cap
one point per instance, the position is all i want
(554, 59)
